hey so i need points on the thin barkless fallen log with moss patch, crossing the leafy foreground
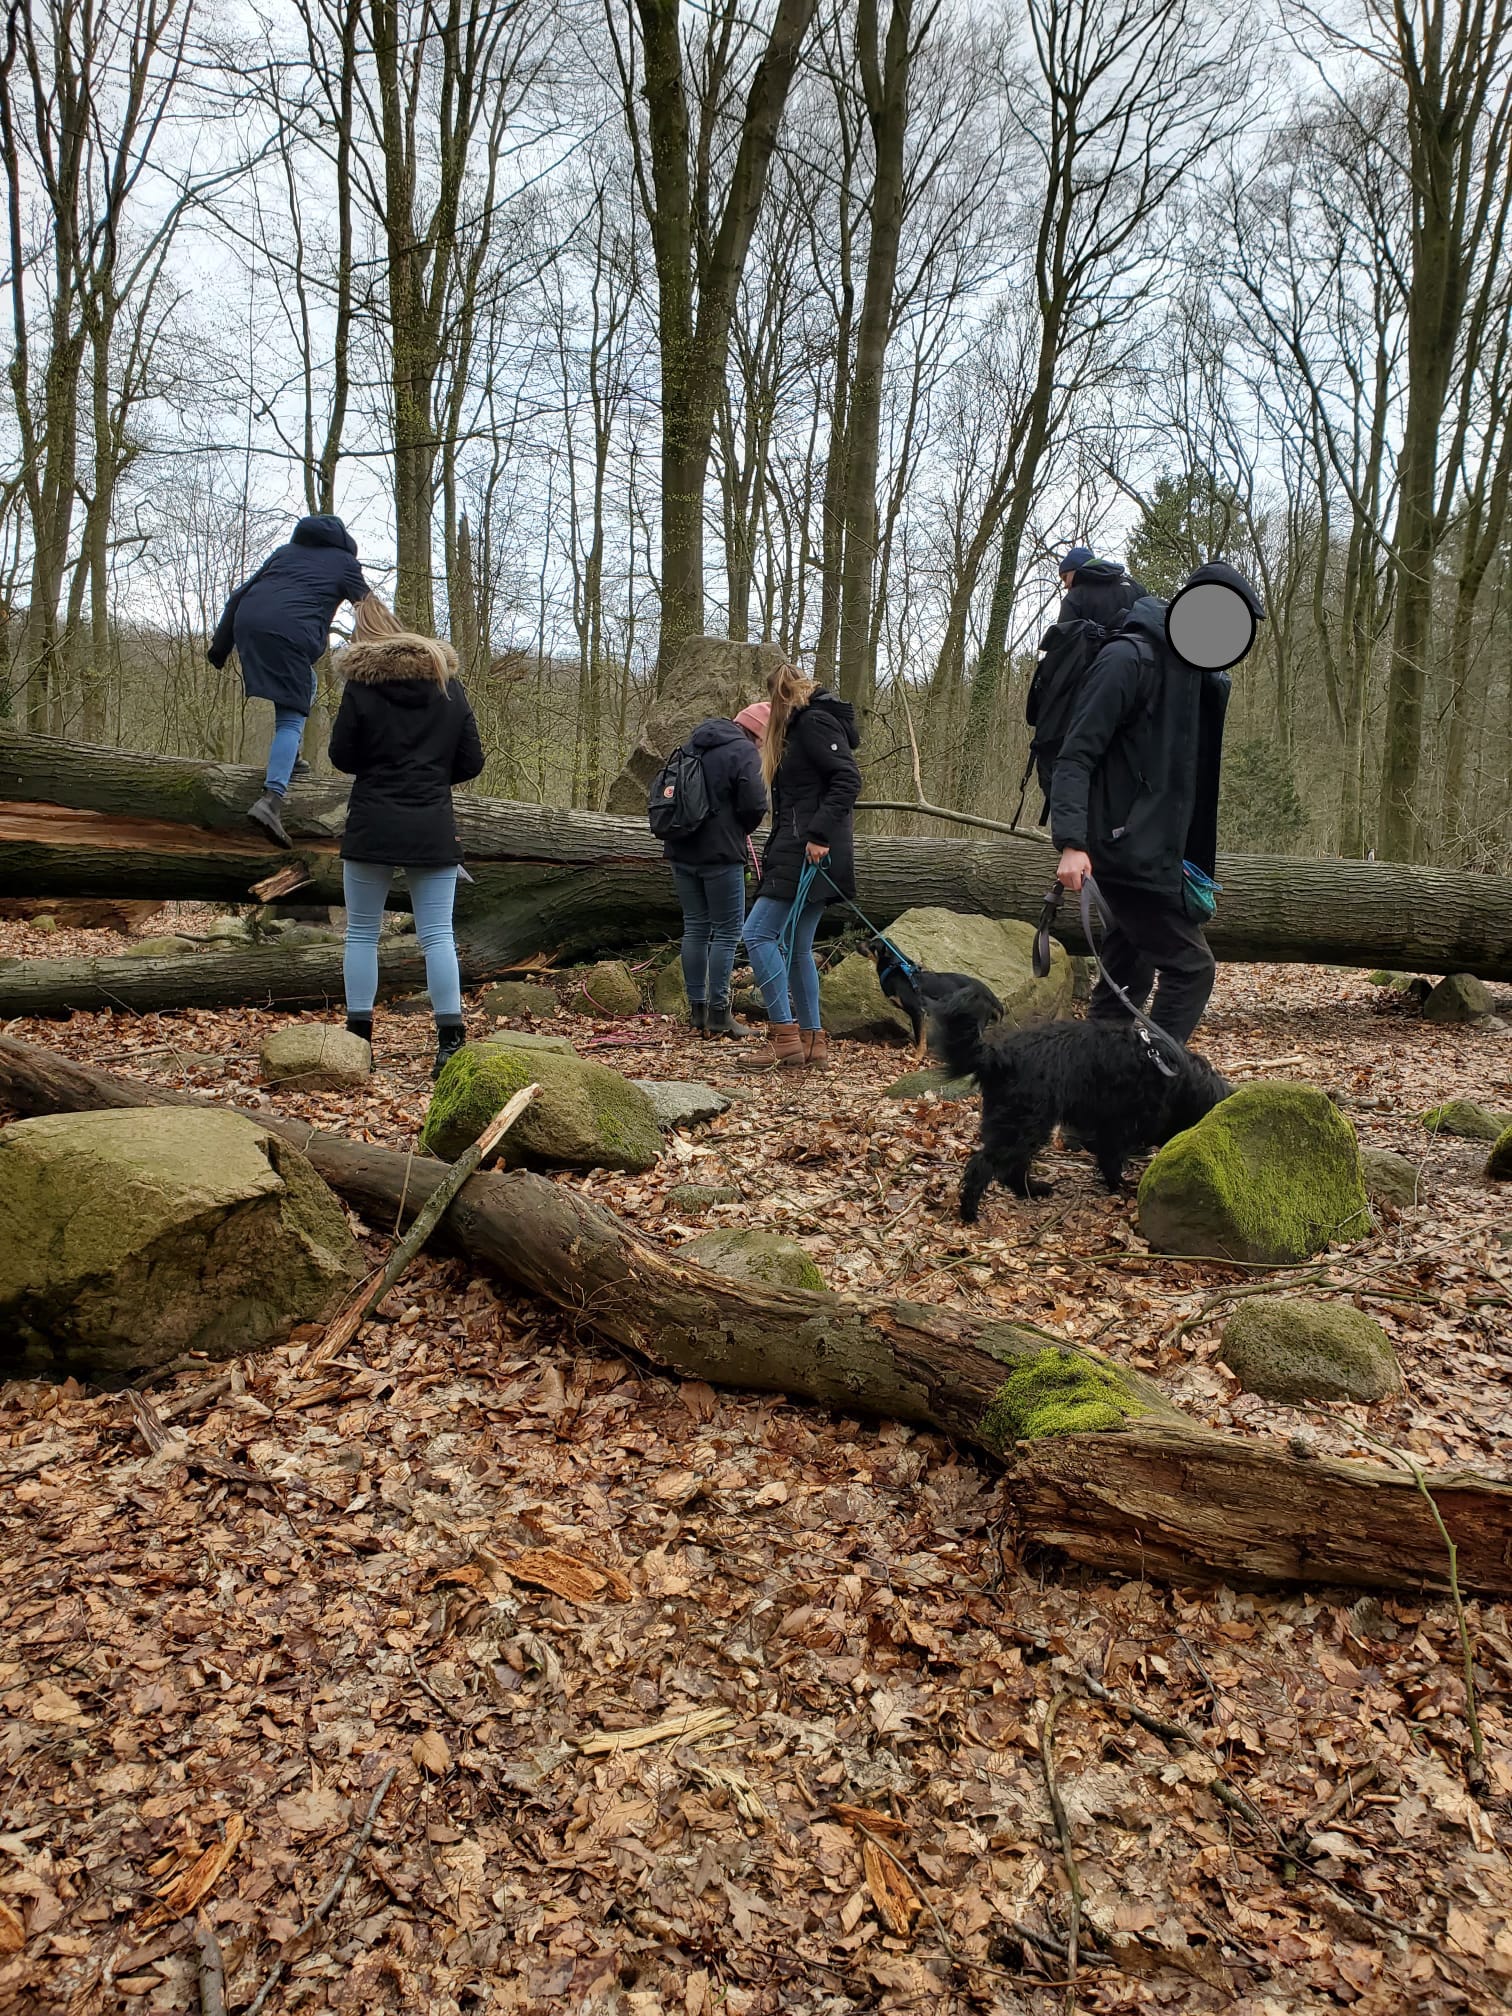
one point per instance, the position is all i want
(1158, 1495)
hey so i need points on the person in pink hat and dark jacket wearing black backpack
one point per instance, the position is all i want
(711, 864)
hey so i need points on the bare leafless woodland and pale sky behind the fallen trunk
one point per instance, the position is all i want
(828, 322)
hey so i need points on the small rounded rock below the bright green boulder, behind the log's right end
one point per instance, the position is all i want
(1293, 1350)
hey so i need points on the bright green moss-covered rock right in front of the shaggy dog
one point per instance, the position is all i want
(1269, 1176)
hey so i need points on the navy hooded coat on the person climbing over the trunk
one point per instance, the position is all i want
(281, 618)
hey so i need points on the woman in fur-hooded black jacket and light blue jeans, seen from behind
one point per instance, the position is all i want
(406, 735)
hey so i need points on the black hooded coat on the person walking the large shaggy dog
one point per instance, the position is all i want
(1136, 785)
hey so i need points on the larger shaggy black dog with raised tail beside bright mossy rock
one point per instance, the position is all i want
(1096, 1080)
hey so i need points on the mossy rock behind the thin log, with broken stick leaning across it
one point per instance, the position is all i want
(584, 1118)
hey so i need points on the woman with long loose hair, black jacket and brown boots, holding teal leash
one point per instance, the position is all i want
(811, 771)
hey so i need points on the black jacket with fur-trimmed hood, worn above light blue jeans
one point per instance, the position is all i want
(406, 741)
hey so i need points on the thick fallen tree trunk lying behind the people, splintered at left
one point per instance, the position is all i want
(110, 824)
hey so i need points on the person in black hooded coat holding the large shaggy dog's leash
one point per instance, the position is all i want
(1134, 799)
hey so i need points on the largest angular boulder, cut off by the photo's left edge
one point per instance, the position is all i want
(136, 1237)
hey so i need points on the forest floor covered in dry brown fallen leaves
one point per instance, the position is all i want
(503, 1565)
